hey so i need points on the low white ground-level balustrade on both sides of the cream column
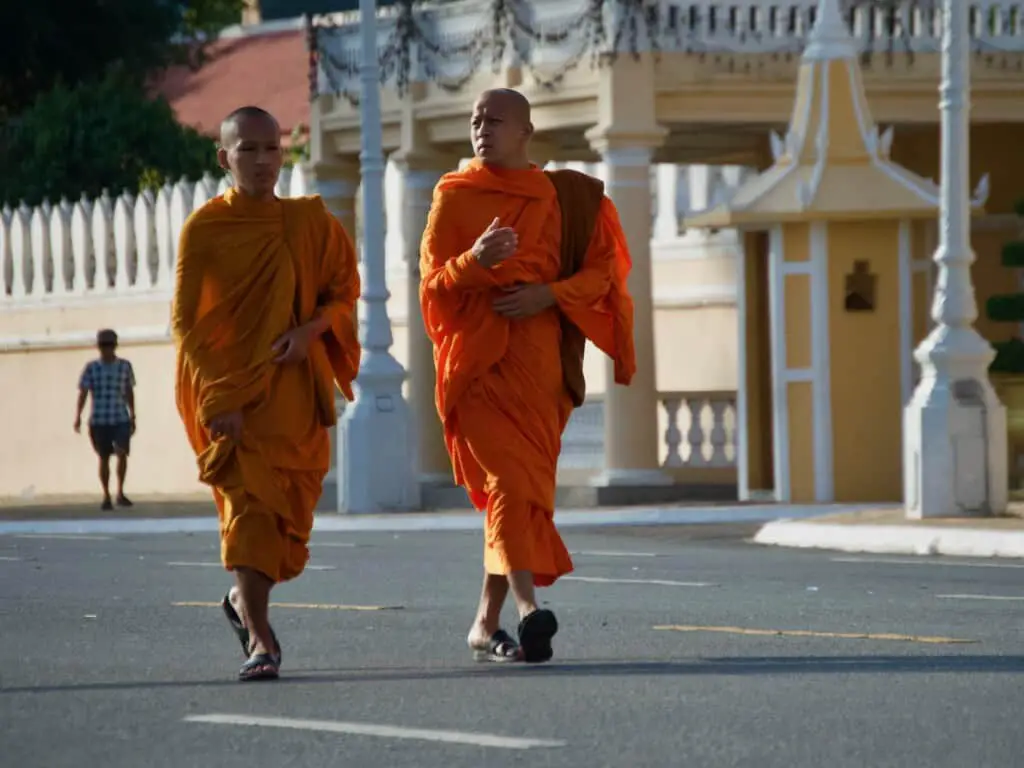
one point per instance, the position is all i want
(700, 432)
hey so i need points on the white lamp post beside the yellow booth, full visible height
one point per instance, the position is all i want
(955, 428)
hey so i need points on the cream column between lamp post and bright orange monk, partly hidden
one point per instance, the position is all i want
(417, 179)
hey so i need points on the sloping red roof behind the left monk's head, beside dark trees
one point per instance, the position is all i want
(270, 70)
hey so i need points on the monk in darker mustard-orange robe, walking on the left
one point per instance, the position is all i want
(264, 325)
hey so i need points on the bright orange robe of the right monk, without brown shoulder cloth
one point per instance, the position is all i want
(500, 388)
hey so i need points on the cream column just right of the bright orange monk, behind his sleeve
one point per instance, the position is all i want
(631, 453)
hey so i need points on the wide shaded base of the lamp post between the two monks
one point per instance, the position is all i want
(377, 450)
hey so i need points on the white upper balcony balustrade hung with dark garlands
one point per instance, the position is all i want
(452, 40)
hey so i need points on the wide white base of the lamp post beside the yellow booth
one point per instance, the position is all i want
(955, 433)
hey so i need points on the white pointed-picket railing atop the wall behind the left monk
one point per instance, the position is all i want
(105, 247)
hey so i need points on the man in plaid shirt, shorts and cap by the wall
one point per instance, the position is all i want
(111, 380)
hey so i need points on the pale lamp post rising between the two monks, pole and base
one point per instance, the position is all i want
(378, 456)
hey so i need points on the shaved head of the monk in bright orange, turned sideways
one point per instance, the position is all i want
(502, 129)
